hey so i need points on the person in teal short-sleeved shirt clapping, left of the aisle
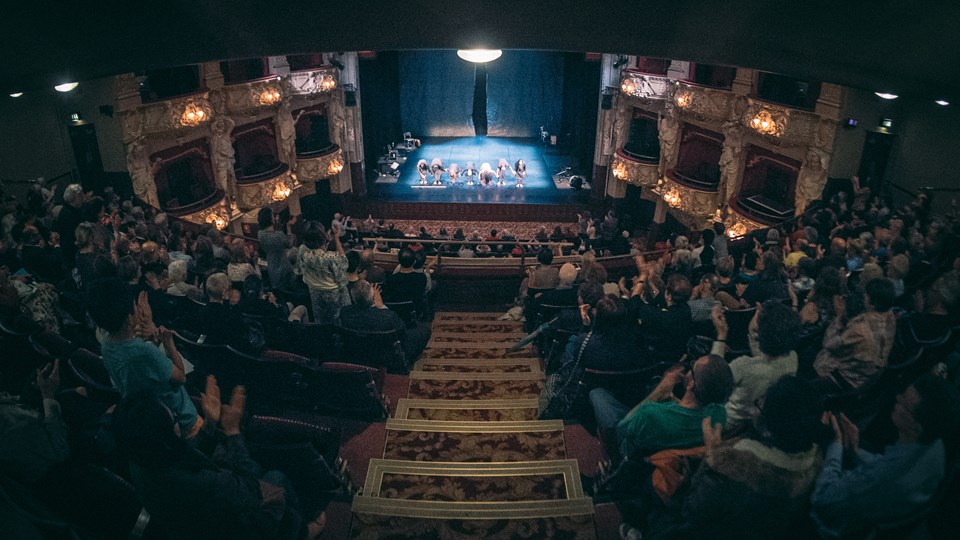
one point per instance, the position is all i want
(135, 365)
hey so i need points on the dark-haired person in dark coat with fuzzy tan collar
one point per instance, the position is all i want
(755, 487)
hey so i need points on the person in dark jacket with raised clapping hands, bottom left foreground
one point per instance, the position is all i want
(217, 493)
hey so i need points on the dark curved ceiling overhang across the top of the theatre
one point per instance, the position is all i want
(907, 47)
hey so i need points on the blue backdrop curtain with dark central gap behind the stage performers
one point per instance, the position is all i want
(524, 92)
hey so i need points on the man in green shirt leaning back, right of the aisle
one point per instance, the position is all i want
(662, 421)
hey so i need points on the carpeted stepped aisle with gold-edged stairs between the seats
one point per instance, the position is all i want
(464, 455)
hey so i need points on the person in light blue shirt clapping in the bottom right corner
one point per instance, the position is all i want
(859, 489)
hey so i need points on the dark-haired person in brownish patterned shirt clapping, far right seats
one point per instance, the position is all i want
(856, 348)
